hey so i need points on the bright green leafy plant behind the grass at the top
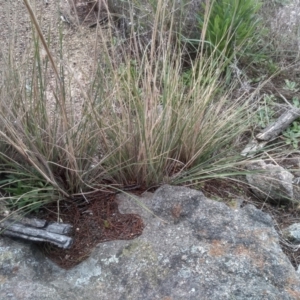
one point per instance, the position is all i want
(228, 27)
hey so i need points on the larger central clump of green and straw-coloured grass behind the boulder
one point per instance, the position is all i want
(159, 127)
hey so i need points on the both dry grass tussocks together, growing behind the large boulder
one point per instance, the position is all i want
(140, 123)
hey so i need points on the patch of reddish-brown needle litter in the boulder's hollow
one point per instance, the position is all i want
(95, 219)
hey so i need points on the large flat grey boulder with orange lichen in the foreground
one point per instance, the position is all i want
(202, 249)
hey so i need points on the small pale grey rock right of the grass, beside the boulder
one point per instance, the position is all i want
(271, 182)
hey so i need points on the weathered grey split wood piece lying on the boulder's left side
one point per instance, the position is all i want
(38, 230)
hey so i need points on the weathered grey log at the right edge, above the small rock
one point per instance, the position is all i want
(280, 125)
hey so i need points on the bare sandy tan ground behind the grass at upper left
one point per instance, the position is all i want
(81, 45)
